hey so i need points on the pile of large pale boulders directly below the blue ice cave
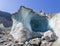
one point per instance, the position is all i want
(46, 40)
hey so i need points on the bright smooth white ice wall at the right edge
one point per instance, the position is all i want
(54, 23)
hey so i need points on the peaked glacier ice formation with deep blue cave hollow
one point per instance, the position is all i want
(28, 24)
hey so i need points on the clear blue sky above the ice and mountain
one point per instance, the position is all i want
(48, 6)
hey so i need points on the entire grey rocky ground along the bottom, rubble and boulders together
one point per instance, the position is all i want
(45, 40)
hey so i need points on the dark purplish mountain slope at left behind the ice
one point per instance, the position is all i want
(5, 18)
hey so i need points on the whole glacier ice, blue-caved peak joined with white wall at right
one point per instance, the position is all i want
(29, 24)
